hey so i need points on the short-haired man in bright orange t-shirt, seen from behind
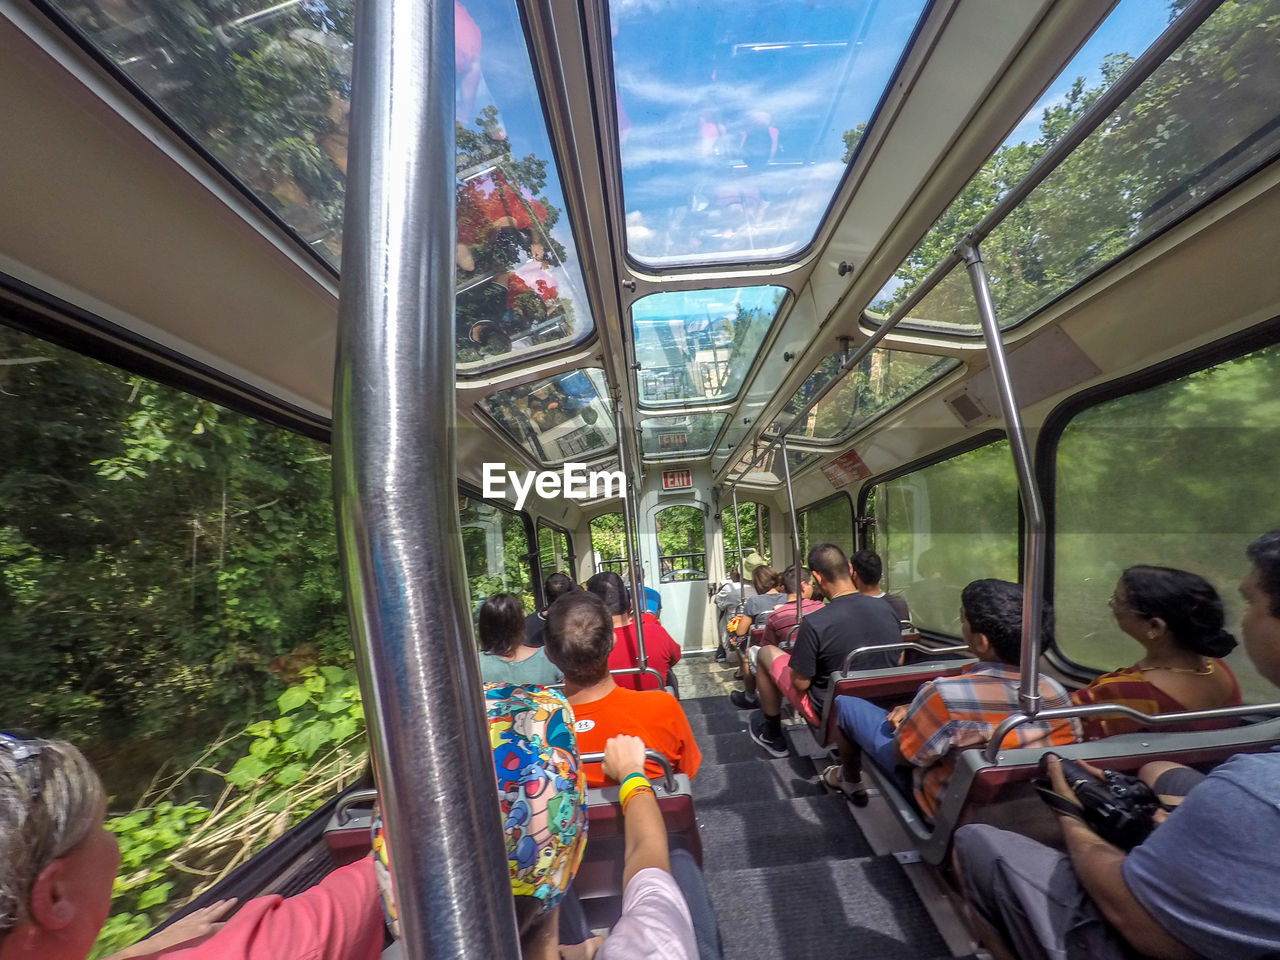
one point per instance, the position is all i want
(579, 638)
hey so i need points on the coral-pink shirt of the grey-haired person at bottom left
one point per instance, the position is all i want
(339, 920)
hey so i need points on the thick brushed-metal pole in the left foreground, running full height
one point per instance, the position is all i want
(396, 491)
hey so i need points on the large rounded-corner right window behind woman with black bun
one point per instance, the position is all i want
(1180, 476)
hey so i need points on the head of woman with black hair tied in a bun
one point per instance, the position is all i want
(1150, 602)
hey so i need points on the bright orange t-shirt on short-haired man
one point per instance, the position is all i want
(655, 716)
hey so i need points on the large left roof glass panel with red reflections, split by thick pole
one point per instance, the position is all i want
(264, 86)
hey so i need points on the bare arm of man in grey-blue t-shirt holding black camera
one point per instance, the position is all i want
(1098, 866)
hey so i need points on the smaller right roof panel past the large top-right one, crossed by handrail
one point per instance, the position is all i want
(883, 380)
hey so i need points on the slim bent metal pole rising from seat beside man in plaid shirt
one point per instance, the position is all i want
(1034, 559)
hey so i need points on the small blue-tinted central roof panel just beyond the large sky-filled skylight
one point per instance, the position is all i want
(697, 346)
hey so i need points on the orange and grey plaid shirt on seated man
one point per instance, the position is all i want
(950, 714)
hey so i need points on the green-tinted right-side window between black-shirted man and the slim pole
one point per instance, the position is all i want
(945, 525)
